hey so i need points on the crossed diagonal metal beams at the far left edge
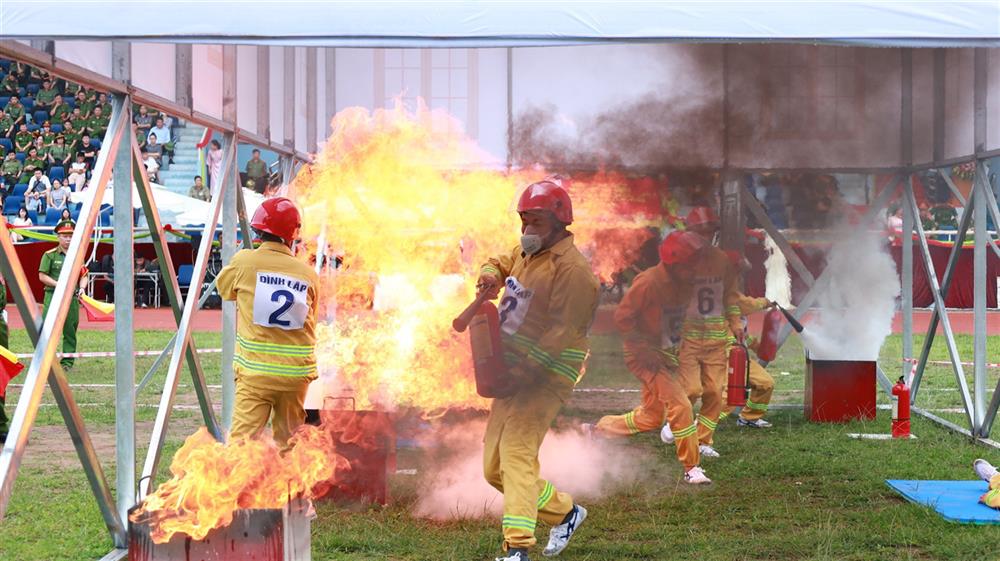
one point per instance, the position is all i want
(46, 335)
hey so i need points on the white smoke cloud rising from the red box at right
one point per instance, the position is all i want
(858, 305)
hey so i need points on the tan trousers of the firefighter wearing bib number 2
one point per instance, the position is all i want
(255, 405)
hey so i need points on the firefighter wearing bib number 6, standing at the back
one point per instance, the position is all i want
(711, 322)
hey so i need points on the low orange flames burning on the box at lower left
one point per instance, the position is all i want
(211, 480)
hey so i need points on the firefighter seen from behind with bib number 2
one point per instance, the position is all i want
(276, 301)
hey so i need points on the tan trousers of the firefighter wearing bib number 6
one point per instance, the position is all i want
(703, 369)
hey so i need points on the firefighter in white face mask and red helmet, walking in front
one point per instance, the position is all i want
(548, 304)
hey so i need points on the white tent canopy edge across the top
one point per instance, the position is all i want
(506, 23)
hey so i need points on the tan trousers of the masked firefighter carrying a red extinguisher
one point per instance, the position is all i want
(514, 433)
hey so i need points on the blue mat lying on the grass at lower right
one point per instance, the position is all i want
(955, 501)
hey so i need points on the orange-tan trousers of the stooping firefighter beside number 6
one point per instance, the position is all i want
(664, 397)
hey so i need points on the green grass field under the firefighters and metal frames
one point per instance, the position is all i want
(798, 491)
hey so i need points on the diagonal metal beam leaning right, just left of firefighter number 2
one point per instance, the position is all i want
(183, 340)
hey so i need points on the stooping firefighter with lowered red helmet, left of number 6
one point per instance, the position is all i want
(649, 318)
